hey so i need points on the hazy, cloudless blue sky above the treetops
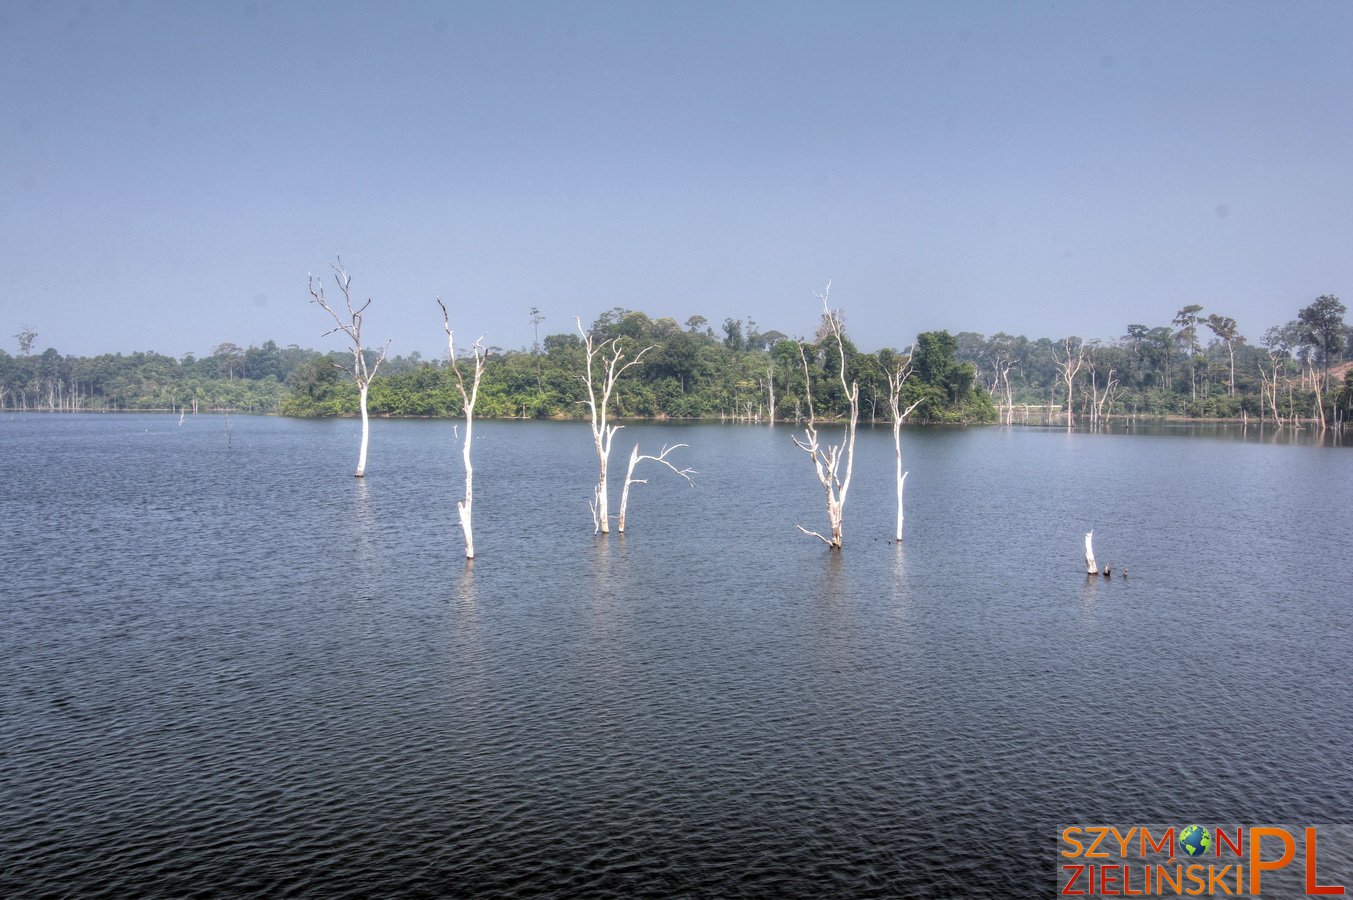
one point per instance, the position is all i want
(171, 173)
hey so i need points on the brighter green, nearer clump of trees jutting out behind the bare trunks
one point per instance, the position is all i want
(689, 373)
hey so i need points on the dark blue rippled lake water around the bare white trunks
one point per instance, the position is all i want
(229, 668)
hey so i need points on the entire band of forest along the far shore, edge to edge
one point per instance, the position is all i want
(1199, 366)
